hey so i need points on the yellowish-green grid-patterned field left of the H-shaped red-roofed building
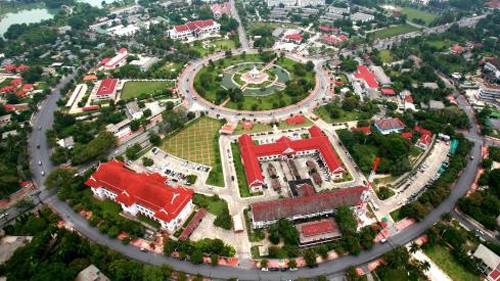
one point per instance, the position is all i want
(197, 142)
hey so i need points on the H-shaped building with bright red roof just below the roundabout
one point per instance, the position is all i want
(252, 154)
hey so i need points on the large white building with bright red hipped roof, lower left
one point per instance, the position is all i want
(144, 194)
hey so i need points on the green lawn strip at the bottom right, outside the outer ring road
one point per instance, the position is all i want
(443, 258)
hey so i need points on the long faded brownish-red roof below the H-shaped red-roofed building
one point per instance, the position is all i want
(290, 207)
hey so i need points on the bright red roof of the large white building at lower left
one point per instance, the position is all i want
(147, 190)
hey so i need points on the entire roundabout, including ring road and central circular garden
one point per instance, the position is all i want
(252, 85)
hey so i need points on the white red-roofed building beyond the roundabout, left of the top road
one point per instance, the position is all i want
(194, 29)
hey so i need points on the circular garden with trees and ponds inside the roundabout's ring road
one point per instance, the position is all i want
(254, 82)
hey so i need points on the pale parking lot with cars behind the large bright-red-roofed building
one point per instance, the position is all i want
(174, 168)
